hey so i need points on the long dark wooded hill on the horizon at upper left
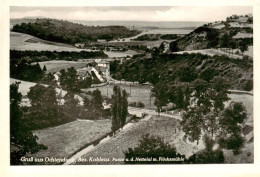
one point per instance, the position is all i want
(71, 33)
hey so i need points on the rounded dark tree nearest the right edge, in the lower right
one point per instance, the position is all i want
(231, 122)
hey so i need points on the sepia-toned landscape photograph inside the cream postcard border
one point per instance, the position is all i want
(131, 85)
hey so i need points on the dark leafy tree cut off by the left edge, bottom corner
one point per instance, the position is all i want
(22, 141)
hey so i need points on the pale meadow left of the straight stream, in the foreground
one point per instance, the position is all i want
(65, 139)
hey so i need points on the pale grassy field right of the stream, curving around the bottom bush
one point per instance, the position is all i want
(167, 128)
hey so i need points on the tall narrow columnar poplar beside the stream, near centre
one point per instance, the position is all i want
(119, 108)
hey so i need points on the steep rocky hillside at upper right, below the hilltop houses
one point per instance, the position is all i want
(223, 35)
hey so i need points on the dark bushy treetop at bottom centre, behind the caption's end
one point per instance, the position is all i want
(154, 148)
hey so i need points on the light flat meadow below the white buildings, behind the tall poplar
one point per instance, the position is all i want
(138, 93)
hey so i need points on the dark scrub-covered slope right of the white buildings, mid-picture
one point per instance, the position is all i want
(170, 69)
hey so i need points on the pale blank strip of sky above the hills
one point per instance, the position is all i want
(132, 13)
